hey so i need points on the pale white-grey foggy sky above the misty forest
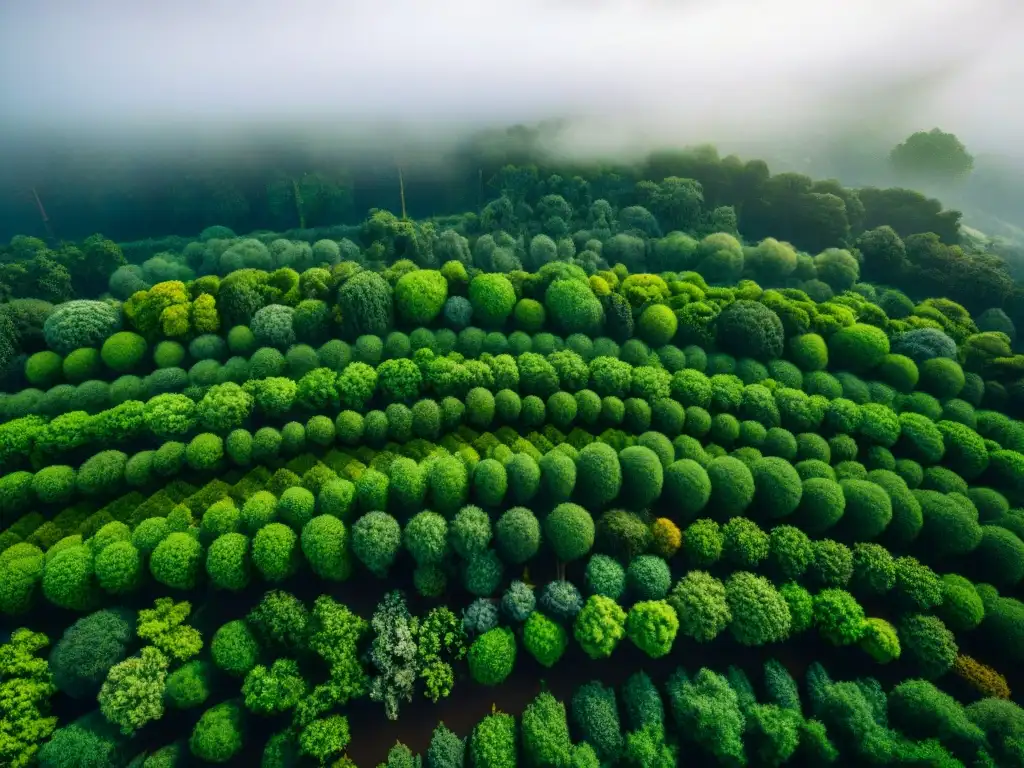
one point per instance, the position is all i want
(140, 74)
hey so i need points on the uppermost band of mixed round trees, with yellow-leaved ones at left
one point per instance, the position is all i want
(285, 310)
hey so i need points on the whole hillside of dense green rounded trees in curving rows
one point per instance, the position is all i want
(609, 419)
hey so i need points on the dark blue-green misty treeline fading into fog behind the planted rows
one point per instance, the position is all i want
(280, 191)
